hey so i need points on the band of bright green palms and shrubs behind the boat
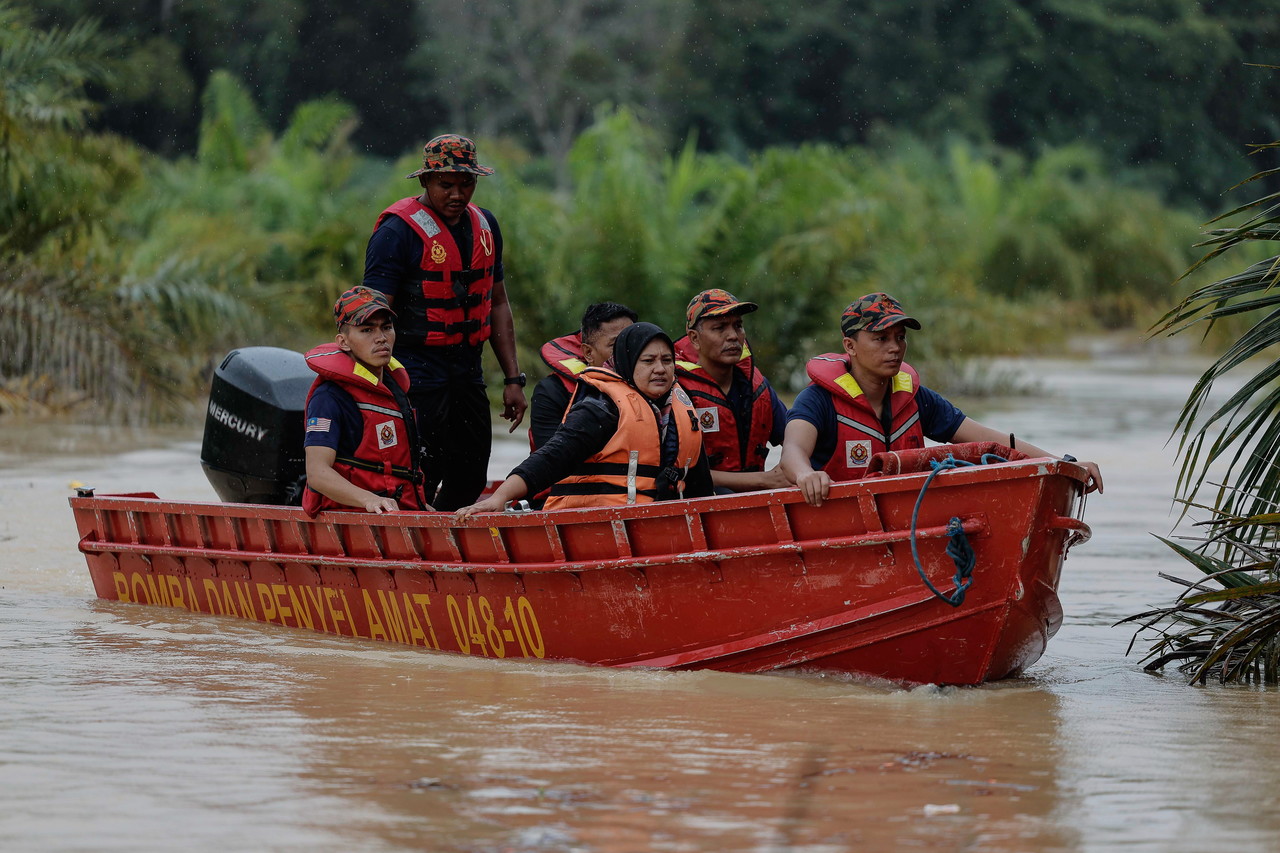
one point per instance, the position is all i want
(127, 275)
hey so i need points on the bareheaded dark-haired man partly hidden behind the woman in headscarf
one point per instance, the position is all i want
(568, 357)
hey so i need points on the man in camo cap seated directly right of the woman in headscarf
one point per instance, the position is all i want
(738, 410)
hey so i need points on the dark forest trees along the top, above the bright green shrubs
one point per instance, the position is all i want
(1162, 85)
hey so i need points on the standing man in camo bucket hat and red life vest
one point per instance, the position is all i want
(438, 259)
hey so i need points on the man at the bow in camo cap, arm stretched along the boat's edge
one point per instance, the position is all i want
(867, 400)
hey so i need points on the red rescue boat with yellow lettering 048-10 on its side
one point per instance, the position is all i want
(746, 583)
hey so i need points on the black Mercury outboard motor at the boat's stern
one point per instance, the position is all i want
(253, 450)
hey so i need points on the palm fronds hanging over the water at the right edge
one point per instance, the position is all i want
(1240, 441)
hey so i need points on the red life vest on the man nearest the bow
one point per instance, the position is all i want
(860, 432)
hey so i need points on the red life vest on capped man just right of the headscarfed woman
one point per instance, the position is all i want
(719, 422)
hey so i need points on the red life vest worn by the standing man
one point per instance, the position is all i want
(454, 304)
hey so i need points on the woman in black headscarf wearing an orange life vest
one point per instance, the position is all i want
(629, 437)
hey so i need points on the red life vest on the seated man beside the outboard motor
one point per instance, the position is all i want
(383, 463)
